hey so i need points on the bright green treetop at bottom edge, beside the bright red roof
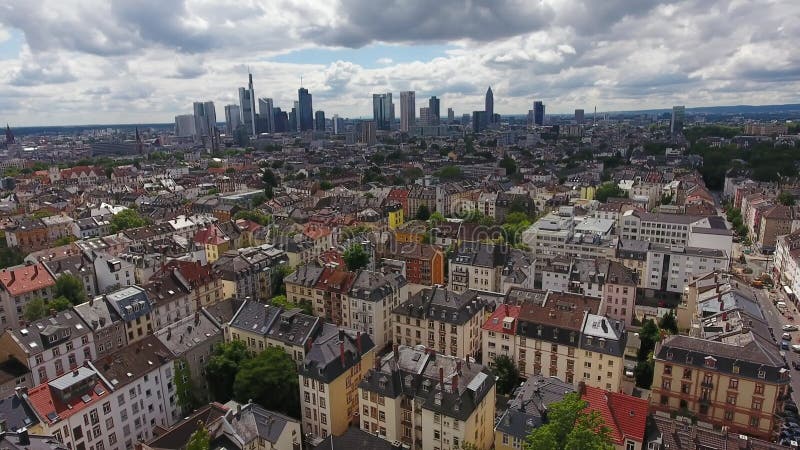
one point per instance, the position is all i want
(570, 426)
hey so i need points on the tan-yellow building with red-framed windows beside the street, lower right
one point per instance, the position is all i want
(741, 386)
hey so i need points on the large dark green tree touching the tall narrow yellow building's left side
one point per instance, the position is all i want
(269, 379)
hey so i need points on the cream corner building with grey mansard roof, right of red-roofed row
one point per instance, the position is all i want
(370, 302)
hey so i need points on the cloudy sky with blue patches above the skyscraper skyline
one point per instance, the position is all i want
(66, 62)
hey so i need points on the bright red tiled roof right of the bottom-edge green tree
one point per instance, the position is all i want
(625, 416)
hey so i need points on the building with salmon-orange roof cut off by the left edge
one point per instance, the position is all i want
(18, 286)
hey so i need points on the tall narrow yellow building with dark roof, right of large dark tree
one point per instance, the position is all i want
(329, 377)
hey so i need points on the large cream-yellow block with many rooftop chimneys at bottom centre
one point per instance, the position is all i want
(428, 401)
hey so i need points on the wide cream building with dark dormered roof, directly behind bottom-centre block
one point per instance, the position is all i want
(448, 322)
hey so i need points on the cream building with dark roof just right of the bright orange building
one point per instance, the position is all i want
(477, 266)
